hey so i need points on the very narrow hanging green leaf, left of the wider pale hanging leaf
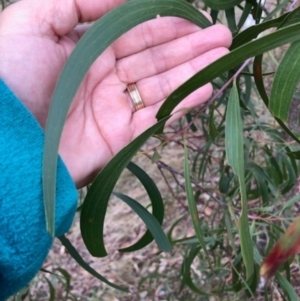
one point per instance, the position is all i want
(192, 203)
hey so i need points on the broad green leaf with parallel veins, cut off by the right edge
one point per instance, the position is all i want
(286, 79)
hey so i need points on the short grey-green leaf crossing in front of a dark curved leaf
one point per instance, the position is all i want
(150, 221)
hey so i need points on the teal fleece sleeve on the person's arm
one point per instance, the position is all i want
(24, 241)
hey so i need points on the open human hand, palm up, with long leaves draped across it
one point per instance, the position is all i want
(36, 39)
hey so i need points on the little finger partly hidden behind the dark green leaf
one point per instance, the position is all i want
(145, 118)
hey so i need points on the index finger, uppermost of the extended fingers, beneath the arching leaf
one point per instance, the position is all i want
(152, 33)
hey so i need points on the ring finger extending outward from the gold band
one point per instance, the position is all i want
(156, 88)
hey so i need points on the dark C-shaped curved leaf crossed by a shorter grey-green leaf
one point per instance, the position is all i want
(156, 203)
